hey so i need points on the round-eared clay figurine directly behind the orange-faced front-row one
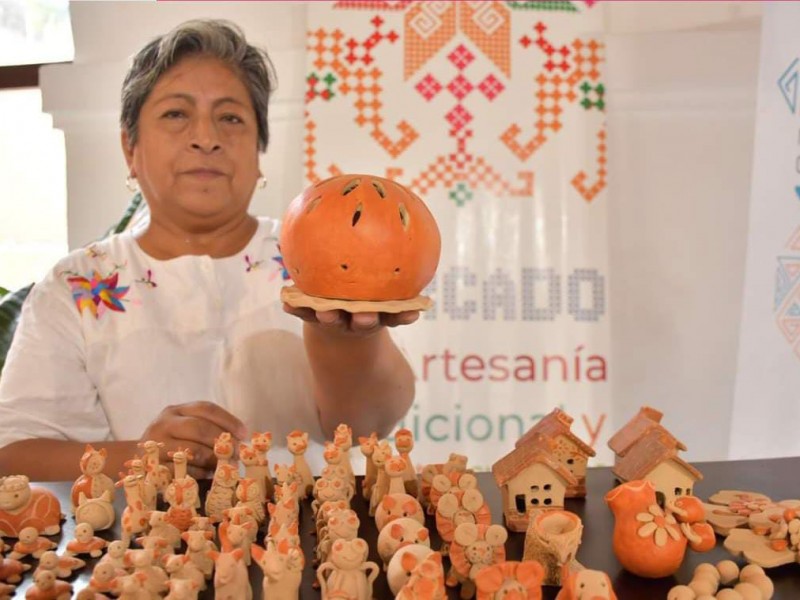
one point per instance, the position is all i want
(474, 547)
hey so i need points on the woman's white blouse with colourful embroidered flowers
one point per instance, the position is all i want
(112, 336)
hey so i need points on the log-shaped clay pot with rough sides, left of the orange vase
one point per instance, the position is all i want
(552, 539)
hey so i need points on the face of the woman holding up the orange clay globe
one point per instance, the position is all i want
(196, 156)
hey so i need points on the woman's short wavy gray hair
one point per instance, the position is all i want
(215, 38)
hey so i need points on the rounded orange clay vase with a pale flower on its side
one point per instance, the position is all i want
(647, 542)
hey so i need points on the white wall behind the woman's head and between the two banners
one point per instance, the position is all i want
(681, 81)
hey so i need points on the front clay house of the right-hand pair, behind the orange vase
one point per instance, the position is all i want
(654, 456)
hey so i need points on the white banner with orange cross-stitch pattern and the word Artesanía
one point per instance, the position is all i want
(493, 112)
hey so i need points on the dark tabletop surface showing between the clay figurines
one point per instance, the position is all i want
(776, 478)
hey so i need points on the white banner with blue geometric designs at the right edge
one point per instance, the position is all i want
(766, 408)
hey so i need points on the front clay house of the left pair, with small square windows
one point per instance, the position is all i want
(531, 477)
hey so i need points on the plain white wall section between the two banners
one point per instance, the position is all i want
(681, 121)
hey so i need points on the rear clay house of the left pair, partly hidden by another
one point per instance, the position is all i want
(569, 449)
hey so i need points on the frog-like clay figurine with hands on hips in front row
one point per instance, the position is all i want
(347, 573)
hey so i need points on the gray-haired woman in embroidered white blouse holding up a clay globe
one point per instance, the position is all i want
(175, 332)
